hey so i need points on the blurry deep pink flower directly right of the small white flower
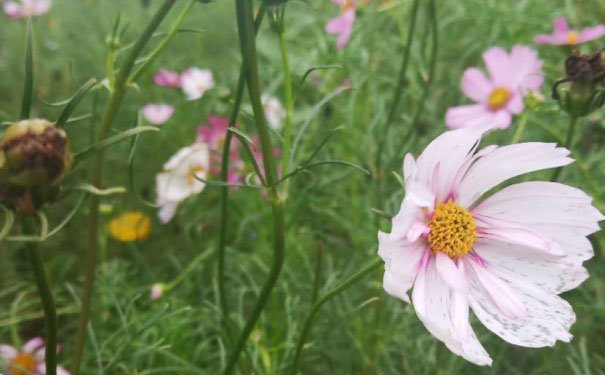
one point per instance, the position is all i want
(214, 135)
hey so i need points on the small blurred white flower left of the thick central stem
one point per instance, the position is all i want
(178, 180)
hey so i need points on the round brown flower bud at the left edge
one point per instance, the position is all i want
(35, 154)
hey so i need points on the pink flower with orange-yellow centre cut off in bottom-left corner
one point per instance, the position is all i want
(29, 360)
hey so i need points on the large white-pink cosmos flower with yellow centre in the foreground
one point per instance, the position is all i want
(507, 256)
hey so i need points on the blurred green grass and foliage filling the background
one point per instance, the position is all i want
(362, 331)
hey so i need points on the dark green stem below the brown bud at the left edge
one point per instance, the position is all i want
(46, 296)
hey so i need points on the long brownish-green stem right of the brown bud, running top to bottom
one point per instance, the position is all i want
(111, 111)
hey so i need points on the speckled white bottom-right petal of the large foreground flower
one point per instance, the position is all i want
(547, 319)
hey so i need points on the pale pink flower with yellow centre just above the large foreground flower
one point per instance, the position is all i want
(499, 96)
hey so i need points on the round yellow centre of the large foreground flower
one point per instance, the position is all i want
(452, 230)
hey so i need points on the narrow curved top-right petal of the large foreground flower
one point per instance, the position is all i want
(507, 162)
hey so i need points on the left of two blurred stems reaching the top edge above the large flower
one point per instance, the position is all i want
(395, 102)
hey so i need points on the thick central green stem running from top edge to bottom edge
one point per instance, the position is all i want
(249, 55)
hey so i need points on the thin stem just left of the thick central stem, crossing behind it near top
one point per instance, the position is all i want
(222, 239)
